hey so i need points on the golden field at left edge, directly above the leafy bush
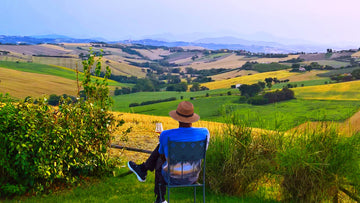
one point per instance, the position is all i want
(22, 84)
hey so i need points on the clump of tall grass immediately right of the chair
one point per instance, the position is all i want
(239, 158)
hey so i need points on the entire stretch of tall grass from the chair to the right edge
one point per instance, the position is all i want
(314, 164)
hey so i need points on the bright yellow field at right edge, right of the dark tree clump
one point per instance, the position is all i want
(337, 91)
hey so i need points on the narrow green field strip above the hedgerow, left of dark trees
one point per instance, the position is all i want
(121, 102)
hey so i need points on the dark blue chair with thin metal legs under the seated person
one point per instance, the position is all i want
(183, 152)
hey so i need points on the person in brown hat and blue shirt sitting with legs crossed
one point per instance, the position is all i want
(185, 115)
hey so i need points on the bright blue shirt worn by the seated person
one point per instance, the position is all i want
(191, 171)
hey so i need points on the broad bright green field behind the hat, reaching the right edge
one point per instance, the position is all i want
(278, 116)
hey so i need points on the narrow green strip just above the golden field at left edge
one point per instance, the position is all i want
(48, 70)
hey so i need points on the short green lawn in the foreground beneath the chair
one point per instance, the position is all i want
(127, 189)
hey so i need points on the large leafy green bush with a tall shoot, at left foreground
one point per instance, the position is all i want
(40, 146)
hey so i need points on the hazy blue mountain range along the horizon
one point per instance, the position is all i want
(213, 43)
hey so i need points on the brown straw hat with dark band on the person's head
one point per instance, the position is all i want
(184, 113)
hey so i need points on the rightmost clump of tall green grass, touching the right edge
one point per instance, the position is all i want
(317, 162)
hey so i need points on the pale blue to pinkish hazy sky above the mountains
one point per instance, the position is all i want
(321, 21)
